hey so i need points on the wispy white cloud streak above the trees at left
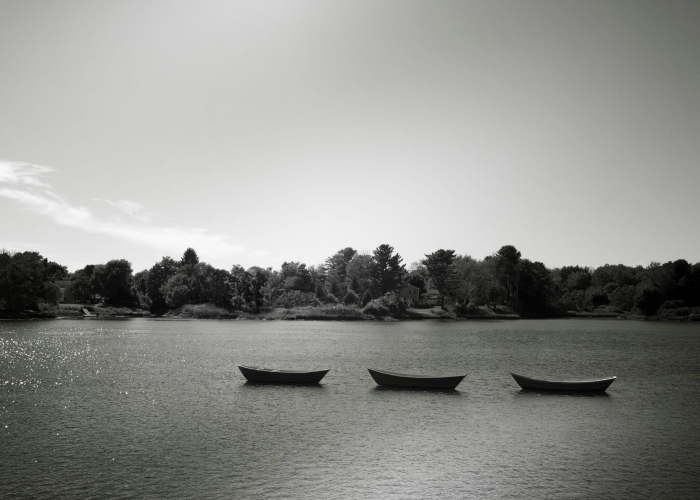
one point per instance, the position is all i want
(23, 184)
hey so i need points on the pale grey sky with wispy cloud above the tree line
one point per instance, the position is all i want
(259, 132)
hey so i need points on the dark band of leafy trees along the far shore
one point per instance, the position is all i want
(367, 280)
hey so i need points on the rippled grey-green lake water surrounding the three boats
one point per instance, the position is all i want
(158, 409)
